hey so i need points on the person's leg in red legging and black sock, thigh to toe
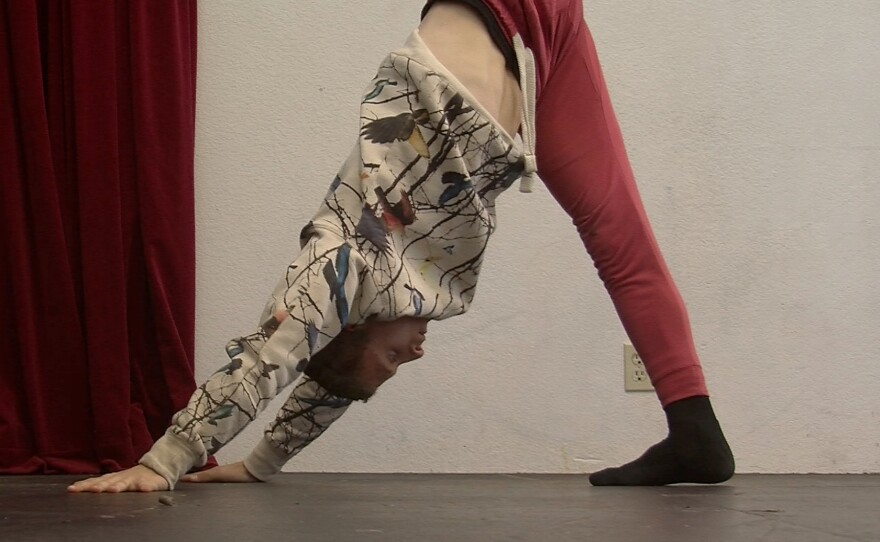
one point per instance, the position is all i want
(583, 163)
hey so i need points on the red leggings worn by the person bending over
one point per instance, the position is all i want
(582, 160)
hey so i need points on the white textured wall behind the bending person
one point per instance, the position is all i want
(754, 131)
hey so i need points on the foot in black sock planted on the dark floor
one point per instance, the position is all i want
(694, 452)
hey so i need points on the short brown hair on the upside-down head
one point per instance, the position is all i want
(335, 366)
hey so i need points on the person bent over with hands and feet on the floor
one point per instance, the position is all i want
(399, 239)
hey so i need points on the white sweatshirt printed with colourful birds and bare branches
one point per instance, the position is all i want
(401, 232)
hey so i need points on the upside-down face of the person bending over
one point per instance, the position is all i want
(389, 345)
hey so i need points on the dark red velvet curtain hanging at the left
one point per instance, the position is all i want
(97, 103)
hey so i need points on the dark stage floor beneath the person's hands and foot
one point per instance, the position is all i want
(460, 508)
